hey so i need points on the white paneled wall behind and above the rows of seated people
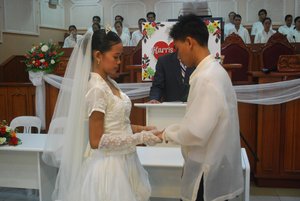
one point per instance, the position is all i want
(26, 16)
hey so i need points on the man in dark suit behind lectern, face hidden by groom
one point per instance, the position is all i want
(171, 80)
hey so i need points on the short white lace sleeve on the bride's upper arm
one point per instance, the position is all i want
(96, 100)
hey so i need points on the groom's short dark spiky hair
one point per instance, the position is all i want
(192, 26)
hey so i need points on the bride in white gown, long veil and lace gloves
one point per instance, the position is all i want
(94, 147)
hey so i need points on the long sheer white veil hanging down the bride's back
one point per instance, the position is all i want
(68, 133)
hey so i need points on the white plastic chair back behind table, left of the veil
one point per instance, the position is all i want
(27, 122)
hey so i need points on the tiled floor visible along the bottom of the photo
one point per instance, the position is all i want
(256, 194)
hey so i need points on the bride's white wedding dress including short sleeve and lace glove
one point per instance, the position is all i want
(113, 172)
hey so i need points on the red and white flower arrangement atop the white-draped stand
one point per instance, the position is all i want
(42, 57)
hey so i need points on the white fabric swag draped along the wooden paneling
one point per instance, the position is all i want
(262, 94)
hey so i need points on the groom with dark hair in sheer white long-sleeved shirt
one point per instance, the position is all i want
(209, 131)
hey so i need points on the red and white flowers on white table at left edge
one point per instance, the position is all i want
(8, 135)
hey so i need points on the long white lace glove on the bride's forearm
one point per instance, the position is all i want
(119, 142)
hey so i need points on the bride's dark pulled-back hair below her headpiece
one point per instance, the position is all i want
(103, 42)
